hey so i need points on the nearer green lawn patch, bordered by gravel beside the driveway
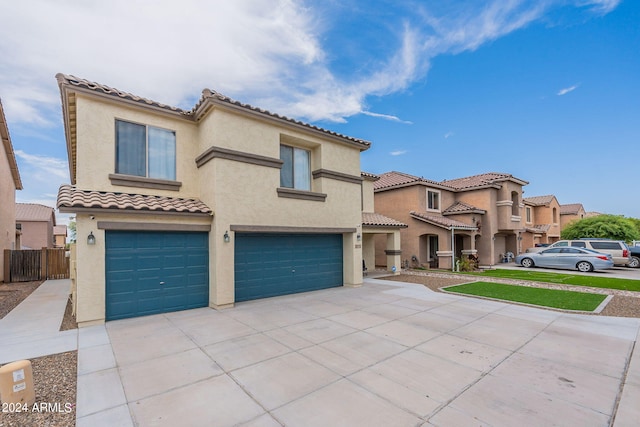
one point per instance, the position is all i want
(566, 300)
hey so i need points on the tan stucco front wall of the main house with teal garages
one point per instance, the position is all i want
(239, 193)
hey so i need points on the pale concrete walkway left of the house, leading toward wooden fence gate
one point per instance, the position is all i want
(32, 329)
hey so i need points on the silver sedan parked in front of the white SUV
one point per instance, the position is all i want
(569, 258)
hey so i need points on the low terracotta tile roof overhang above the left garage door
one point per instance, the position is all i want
(71, 199)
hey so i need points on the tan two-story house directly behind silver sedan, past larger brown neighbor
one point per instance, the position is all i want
(542, 221)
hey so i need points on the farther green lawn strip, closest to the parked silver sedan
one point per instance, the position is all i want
(565, 279)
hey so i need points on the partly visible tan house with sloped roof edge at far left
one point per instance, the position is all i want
(9, 183)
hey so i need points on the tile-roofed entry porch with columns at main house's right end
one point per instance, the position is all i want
(375, 224)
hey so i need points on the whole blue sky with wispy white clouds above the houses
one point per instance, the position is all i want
(546, 90)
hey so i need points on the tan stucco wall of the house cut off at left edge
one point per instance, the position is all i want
(7, 209)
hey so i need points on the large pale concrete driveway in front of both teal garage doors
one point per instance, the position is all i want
(384, 354)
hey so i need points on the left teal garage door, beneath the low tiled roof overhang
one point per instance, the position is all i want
(155, 272)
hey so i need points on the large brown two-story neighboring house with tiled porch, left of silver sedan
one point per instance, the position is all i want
(477, 216)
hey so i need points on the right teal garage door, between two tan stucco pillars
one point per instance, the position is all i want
(268, 265)
